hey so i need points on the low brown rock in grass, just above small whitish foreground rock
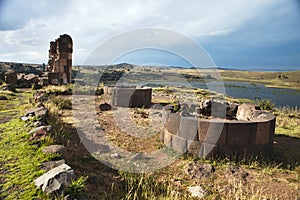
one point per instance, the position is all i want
(199, 170)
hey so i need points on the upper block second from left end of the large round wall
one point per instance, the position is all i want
(188, 128)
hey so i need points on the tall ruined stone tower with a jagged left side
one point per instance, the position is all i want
(60, 60)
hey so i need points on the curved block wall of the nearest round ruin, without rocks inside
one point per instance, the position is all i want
(217, 137)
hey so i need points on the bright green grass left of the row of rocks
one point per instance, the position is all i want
(20, 162)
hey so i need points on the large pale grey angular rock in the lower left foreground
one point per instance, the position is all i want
(56, 180)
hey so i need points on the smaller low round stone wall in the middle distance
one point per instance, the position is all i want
(129, 96)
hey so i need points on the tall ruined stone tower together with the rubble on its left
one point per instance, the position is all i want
(58, 70)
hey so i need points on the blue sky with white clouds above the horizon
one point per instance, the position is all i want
(232, 32)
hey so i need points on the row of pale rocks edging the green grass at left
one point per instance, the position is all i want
(59, 175)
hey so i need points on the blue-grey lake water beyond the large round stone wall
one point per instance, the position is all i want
(280, 96)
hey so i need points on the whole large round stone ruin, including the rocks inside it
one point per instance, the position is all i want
(244, 130)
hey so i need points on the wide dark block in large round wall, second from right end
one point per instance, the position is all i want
(241, 134)
